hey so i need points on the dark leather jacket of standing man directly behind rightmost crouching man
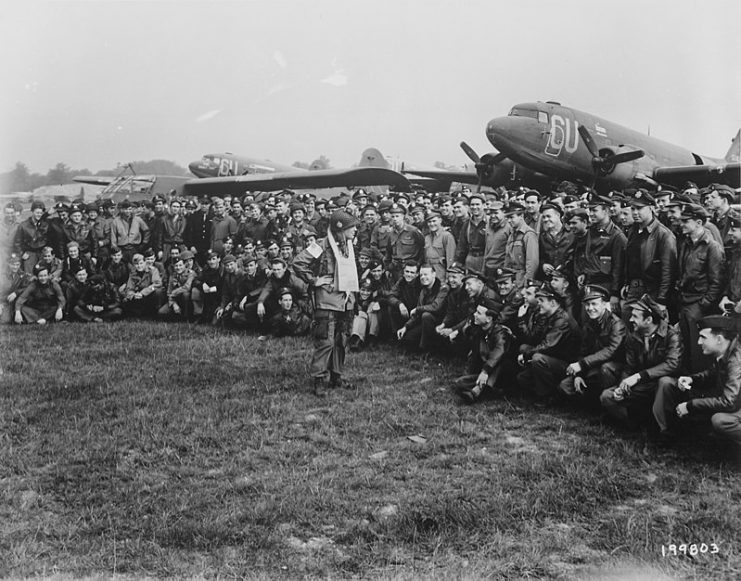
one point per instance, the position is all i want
(701, 271)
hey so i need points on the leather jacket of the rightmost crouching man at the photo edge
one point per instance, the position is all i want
(717, 389)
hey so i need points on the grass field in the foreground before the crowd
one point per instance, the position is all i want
(168, 450)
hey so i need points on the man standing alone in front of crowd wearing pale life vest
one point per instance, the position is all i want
(329, 268)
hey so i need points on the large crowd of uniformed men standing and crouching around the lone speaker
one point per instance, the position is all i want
(628, 301)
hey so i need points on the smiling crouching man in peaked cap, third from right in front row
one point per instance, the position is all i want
(601, 352)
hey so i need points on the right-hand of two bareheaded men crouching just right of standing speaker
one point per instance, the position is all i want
(418, 333)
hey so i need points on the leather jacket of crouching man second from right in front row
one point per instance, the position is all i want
(662, 356)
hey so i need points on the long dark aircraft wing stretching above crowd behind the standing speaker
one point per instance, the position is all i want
(326, 178)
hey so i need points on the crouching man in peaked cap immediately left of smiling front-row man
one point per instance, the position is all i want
(545, 363)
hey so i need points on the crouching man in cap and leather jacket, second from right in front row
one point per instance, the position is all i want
(652, 350)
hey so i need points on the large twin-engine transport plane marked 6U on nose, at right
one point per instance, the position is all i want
(539, 140)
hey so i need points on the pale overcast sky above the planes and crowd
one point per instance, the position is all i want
(91, 84)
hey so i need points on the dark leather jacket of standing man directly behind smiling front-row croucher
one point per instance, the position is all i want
(600, 257)
